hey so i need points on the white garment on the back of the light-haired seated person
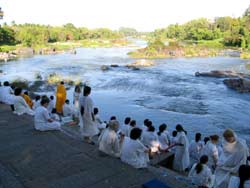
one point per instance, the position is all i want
(109, 143)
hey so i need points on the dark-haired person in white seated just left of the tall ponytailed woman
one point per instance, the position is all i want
(163, 137)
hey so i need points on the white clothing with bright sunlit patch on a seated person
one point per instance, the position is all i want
(150, 140)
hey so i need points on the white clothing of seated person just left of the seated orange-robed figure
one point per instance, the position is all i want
(21, 107)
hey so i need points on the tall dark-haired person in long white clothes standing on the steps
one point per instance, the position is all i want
(89, 128)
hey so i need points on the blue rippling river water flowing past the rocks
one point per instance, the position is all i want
(166, 93)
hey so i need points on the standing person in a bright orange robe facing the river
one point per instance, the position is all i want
(60, 97)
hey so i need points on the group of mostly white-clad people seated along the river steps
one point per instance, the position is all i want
(208, 164)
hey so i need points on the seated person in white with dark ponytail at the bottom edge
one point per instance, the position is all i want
(201, 174)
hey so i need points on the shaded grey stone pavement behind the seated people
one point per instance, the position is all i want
(32, 159)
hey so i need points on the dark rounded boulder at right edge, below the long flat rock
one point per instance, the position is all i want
(240, 85)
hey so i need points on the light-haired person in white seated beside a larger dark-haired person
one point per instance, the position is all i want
(109, 143)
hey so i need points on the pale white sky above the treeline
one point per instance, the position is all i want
(143, 15)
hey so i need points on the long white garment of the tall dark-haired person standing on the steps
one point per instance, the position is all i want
(89, 128)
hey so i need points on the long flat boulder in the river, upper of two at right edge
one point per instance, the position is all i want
(222, 74)
